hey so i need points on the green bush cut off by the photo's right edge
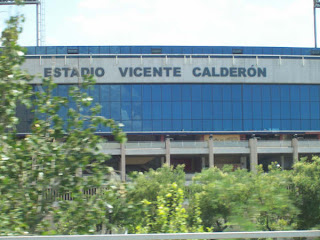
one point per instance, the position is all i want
(305, 187)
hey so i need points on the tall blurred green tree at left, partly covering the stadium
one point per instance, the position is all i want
(52, 157)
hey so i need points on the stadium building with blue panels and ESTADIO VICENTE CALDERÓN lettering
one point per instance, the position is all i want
(198, 106)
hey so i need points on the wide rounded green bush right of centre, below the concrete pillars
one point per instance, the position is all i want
(243, 201)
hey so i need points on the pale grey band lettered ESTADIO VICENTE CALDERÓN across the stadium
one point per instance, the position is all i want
(177, 70)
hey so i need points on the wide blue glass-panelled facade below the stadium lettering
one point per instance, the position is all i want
(195, 108)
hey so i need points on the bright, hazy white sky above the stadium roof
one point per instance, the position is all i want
(283, 23)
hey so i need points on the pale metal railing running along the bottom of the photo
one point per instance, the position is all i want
(173, 236)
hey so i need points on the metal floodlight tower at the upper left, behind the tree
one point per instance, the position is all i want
(40, 16)
